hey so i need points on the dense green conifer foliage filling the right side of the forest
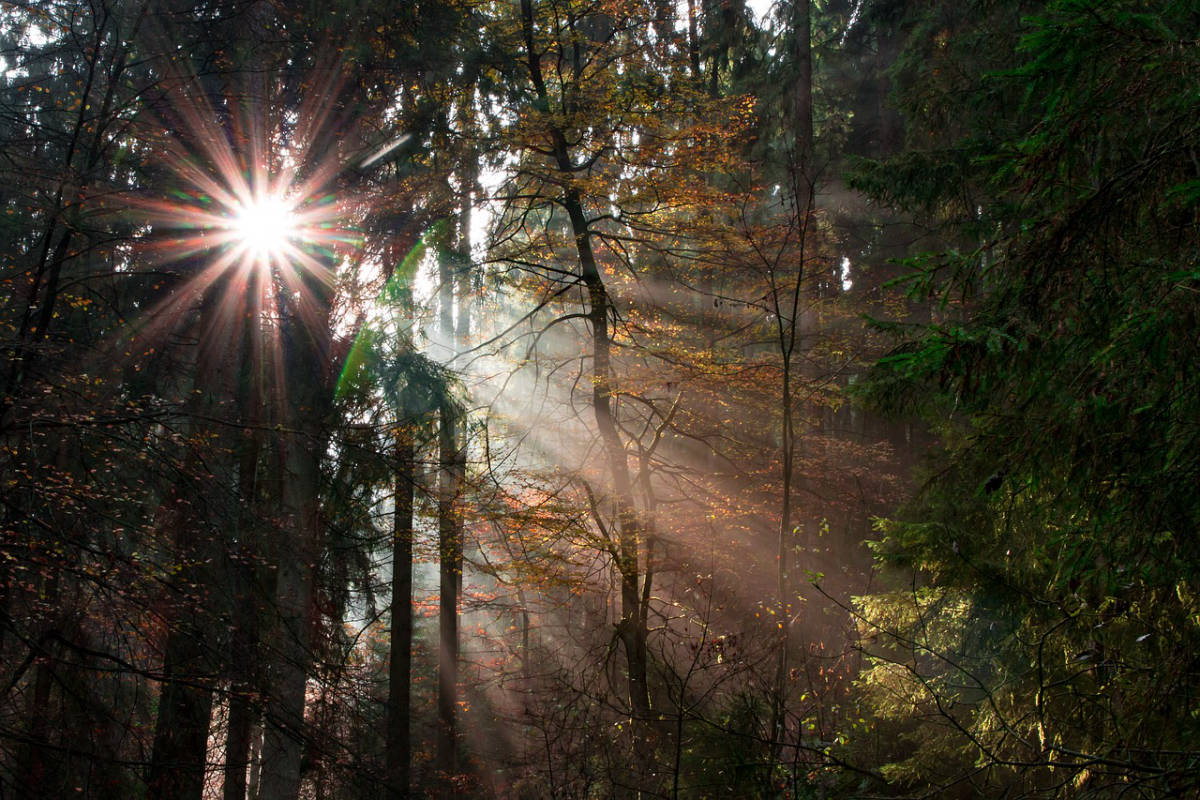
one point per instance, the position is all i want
(1051, 633)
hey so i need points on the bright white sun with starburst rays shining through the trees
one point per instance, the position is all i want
(255, 210)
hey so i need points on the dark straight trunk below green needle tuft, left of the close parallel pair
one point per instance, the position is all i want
(399, 745)
